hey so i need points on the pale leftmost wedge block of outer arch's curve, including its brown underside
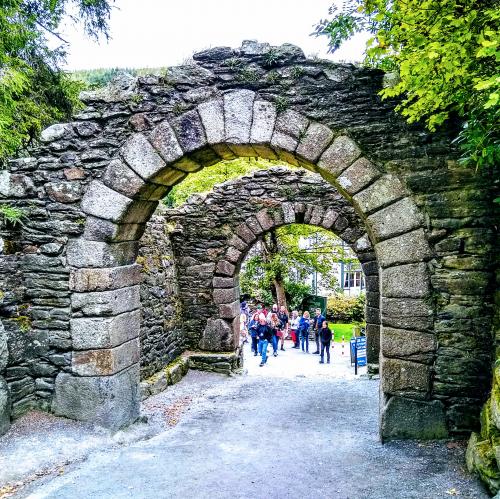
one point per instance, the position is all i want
(103, 202)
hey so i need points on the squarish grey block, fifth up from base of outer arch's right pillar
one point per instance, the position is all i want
(405, 281)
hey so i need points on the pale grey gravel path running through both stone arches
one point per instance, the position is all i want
(288, 429)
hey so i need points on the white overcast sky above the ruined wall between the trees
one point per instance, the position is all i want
(154, 33)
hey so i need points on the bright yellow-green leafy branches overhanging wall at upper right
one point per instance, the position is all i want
(447, 53)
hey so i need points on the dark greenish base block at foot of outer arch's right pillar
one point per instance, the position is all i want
(404, 418)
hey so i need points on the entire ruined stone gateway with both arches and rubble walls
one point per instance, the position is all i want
(97, 291)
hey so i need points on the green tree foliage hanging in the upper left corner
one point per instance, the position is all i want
(34, 90)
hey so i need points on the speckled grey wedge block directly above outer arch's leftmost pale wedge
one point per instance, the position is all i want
(119, 177)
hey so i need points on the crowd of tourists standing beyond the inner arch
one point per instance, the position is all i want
(274, 326)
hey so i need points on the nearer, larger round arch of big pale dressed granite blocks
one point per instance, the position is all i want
(235, 123)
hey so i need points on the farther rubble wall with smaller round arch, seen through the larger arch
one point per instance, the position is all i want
(211, 235)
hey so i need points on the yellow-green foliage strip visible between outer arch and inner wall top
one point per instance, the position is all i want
(204, 180)
